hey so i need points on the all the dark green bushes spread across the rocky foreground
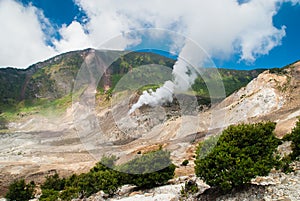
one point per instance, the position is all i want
(227, 161)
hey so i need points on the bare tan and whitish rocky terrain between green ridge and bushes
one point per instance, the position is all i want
(37, 145)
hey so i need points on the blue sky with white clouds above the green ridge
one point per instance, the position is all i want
(239, 34)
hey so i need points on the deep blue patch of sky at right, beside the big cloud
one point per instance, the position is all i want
(286, 53)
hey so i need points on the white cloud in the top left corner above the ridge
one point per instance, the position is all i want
(22, 41)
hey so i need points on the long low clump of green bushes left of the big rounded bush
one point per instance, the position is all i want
(108, 177)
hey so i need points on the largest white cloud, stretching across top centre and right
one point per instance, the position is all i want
(221, 27)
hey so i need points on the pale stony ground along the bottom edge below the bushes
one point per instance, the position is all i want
(275, 187)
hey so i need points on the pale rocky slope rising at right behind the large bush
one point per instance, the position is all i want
(272, 96)
